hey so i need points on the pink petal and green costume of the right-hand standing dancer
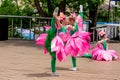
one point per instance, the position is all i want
(78, 43)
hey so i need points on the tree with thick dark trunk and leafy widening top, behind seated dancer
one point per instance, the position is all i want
(93, 12)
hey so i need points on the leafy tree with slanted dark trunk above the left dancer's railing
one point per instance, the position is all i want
(46, 7)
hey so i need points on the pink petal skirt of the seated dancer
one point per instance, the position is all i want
(98, 53)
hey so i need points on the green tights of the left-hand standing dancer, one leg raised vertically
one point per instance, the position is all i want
(50, 35)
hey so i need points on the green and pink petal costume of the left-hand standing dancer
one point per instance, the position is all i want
(53, 43)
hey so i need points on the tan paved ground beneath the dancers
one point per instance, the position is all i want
(23, 60)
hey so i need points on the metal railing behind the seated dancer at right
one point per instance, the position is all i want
(113, 30)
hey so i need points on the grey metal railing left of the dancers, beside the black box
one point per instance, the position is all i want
(20, 22)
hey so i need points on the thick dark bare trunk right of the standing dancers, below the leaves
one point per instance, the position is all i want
(93, 18)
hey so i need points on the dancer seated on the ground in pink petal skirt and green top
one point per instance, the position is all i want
(101, 52)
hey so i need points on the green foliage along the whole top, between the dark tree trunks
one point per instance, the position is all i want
(27, 6)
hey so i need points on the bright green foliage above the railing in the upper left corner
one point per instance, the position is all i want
(10, 7)
